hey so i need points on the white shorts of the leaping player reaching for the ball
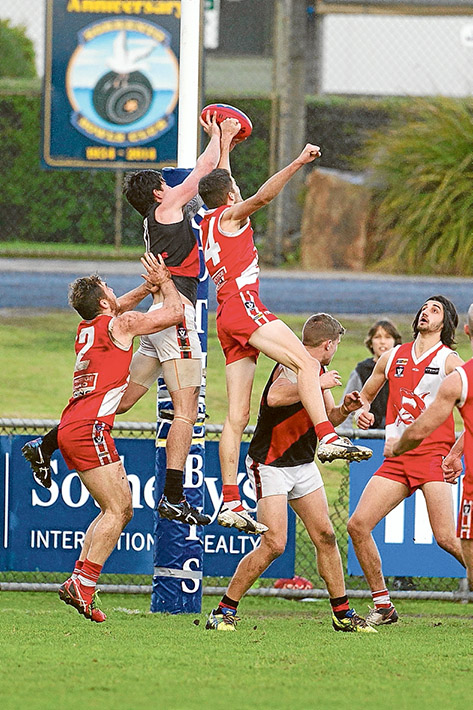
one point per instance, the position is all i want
(174, 343)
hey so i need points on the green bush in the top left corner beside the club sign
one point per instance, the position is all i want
(17, 58)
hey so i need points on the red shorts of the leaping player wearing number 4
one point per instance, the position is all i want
(237, 319)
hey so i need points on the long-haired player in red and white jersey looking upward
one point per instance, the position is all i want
(415, 372)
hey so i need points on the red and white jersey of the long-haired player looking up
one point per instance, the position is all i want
(413, 385)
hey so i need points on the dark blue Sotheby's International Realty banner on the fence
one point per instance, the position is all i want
(42, 530)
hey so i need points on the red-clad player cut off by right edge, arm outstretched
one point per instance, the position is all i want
(455, 390)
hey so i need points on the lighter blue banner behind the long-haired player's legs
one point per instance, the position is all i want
(404, 538)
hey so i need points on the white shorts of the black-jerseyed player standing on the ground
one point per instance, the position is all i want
(291, 481)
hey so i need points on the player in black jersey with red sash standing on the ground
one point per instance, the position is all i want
(281, 466)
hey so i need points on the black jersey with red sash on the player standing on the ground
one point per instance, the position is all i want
(284, 436)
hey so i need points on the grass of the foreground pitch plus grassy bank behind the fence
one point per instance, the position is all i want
(284, 653)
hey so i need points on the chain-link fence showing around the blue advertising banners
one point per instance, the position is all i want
(305, 559)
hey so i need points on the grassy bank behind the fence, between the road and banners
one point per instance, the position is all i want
(39, 375)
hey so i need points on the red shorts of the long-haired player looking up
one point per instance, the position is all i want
(413, 471)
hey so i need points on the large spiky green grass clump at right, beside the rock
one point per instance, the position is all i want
(422, 176)
